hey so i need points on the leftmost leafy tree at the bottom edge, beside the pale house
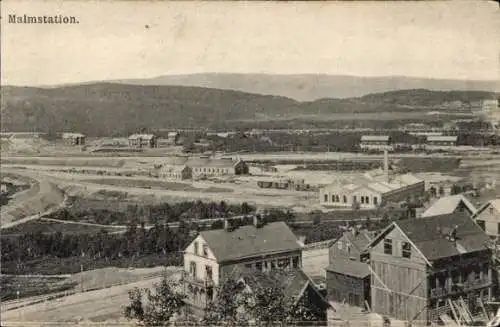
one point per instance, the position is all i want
(162, 304)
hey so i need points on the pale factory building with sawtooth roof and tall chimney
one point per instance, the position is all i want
(371, 190)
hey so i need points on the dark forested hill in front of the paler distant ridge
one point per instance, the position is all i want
(117, 109)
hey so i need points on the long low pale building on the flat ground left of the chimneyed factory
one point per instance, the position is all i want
(186, 168)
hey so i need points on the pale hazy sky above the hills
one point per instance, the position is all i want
(425, 39)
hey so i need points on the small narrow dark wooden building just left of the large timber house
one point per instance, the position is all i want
(348, 273)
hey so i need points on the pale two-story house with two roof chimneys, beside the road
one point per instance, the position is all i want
(213, 255)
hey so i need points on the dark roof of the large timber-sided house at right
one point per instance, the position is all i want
(427, 235)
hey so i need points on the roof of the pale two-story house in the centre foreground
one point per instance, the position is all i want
(248, 241)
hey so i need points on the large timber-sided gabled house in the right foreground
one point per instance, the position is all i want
(431, 269)
